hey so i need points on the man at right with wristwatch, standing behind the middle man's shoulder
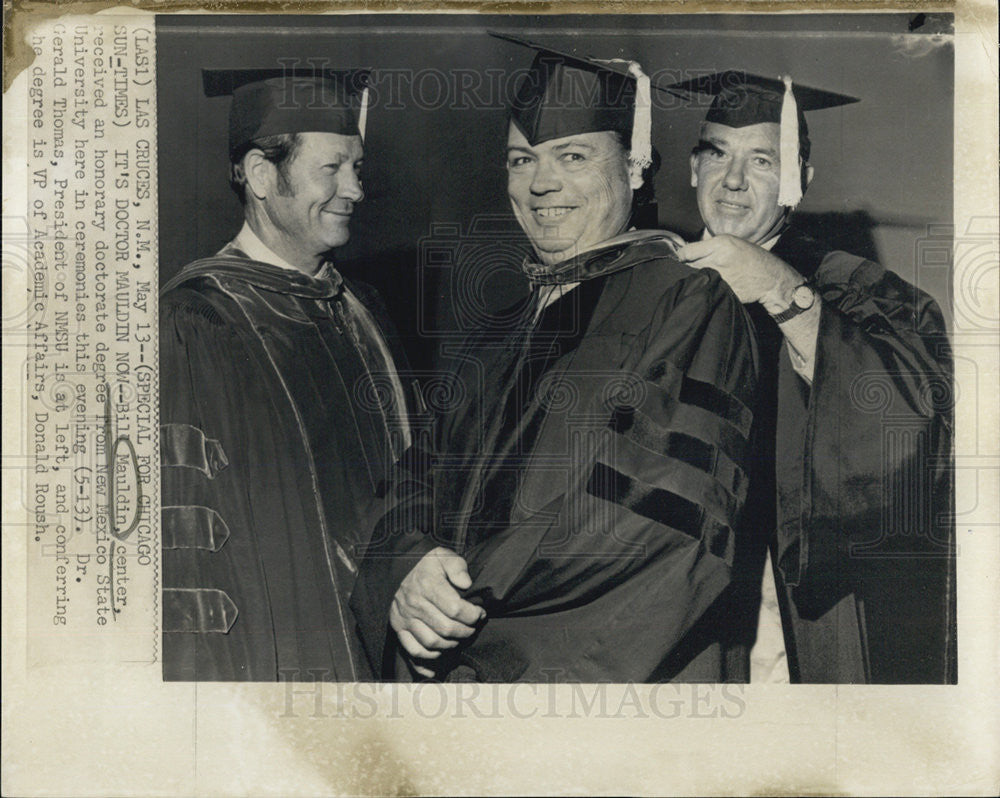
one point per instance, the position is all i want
(851, 488)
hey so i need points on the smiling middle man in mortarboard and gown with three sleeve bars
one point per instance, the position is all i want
(587, 490)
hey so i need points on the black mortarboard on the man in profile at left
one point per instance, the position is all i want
(269, 102)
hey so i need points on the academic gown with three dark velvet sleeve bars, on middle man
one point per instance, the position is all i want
(590, 471)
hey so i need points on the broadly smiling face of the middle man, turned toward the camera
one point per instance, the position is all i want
(568, 194)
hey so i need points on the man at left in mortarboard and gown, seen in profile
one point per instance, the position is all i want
(281, 408)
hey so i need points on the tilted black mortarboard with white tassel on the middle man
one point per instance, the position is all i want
(565, 94)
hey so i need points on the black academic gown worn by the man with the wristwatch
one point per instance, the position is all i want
(864, 479)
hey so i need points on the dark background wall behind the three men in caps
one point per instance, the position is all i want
(435, 233)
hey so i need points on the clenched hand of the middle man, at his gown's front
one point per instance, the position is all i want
(427, 612)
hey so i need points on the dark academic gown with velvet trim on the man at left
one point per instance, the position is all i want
(274, 457)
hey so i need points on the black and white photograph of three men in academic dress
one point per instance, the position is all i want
(556, 349)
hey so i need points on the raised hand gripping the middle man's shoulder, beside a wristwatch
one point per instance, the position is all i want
(754, 274)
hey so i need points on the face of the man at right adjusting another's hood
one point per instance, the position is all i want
(736, 176)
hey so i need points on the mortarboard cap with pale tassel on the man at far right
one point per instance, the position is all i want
(742, 99)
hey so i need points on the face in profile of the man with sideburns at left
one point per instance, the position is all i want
(309, 209)
